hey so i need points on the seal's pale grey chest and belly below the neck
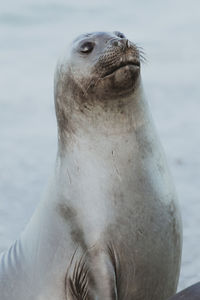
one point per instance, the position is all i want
(122, 199)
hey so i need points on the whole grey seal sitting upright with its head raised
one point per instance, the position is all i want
(109, 226)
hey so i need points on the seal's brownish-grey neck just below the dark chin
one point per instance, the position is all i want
(113, 117)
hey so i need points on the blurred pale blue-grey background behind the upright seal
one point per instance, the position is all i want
(33, 33)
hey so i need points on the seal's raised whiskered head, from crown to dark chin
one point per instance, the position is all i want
(103, 65)
